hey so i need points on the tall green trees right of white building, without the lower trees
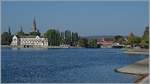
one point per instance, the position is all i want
(56, 38)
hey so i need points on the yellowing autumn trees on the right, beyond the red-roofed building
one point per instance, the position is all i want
(133, 40)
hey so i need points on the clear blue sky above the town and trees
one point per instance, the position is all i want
(87, 18)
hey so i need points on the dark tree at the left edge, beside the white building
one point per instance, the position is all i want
(6, 38)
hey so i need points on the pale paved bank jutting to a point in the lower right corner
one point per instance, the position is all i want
(139, 69)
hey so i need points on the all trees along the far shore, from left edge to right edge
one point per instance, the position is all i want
(56, 38)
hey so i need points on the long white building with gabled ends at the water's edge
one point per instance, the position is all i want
(29, 41)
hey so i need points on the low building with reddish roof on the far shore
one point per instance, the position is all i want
(105, 43)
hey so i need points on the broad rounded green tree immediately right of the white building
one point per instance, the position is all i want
(53, 37)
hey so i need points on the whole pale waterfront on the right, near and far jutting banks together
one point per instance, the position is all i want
(139, 68)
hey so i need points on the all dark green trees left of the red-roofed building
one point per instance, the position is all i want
(55, 38)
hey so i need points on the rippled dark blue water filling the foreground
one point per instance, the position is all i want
(65, 65)
